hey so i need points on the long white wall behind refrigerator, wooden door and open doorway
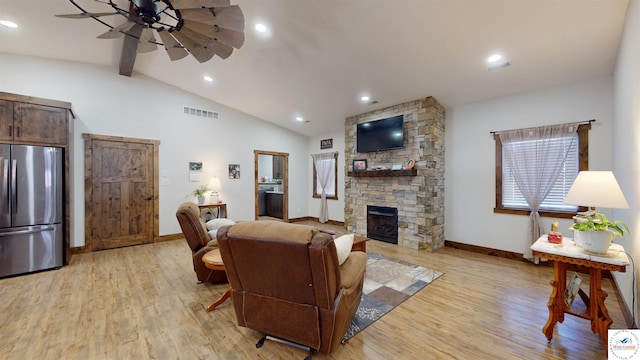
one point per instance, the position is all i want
(138, 107)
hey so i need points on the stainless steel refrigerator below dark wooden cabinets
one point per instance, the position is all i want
(31, 209)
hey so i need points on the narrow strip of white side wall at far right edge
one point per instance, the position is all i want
(626, 147)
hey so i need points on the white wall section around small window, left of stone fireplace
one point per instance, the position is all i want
(336, 207)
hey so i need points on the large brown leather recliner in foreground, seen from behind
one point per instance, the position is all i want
(287, 282)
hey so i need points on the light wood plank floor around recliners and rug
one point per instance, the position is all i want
(143, 302)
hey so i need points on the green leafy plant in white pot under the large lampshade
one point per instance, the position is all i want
(596, 233)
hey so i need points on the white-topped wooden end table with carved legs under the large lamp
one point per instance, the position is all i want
(568, 253)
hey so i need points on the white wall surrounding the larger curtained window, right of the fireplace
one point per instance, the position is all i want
(470, 154)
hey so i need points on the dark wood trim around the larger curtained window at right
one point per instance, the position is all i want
(583, 165)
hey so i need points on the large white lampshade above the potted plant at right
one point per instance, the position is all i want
(596, 189)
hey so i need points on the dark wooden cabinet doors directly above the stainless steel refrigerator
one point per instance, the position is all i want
(33, 123)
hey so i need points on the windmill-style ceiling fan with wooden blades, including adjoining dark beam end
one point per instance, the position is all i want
(202, 28)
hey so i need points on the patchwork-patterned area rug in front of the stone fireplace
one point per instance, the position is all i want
(387, 283)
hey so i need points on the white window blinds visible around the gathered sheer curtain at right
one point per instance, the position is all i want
(512, 197)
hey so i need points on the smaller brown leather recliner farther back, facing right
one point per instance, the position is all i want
(195, 232)
